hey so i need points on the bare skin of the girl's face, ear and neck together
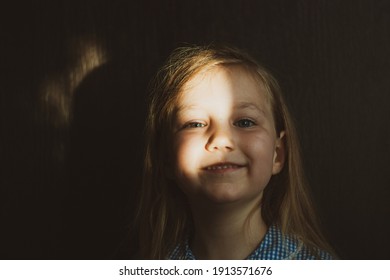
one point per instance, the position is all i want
(225, 152)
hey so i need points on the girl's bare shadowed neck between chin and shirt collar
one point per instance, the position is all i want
(226, 231)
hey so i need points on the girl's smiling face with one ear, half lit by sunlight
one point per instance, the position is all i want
(225, 145)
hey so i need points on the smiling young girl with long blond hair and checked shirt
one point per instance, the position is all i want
(223, 177)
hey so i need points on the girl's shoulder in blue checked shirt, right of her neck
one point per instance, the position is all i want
(278, 246)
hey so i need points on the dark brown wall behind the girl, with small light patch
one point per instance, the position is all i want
(74, 78)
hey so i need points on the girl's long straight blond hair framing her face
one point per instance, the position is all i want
(164, 218)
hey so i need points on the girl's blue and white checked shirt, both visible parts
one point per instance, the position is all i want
(275, 246)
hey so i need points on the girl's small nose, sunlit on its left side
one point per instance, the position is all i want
(220, 139)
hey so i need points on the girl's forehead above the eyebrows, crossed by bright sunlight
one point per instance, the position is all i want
(224, 85)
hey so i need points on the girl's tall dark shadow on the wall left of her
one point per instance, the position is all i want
(104, 164)
